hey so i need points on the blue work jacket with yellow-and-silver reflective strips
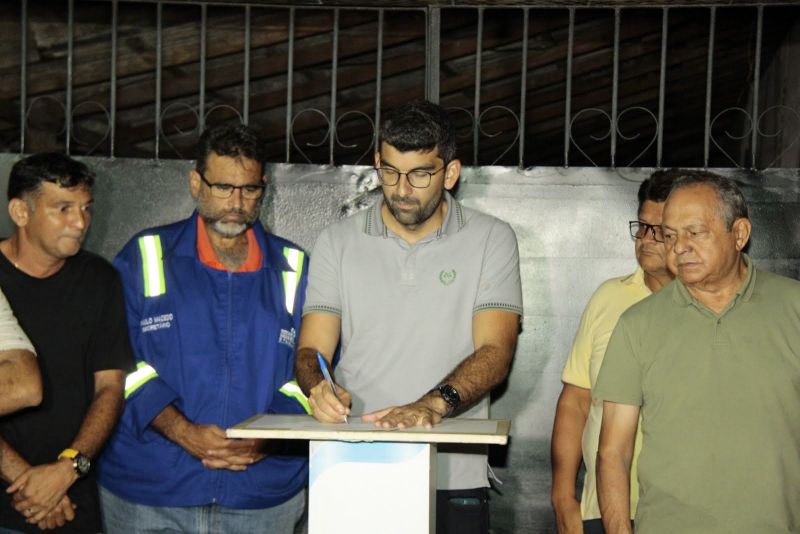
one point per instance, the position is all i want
(217, 345)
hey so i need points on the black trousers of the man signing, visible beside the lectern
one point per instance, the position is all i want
(462, 511)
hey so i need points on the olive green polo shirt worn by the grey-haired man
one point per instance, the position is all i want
(720, 401)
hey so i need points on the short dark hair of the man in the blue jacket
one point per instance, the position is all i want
(233, 140)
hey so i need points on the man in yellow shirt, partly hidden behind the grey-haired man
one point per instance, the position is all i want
(576, 429)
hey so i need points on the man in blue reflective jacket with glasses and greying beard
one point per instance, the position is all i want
(213, 307)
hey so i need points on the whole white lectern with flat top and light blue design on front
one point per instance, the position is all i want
(363, 479)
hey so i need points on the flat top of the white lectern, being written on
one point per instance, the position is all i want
(488, 431)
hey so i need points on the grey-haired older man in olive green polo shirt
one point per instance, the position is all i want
(713, 364)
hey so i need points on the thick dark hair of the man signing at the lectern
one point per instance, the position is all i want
(419, 125)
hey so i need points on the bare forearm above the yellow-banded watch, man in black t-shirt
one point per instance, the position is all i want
(100, 419)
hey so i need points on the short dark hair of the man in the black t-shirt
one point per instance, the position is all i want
(28, 174)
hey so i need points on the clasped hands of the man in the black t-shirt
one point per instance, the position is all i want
(39, 489)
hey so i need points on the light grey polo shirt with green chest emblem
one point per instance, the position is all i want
(407, 310)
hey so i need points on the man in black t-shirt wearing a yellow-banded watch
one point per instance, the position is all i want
(70, 304)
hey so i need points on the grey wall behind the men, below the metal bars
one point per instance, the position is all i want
(572, 230)
